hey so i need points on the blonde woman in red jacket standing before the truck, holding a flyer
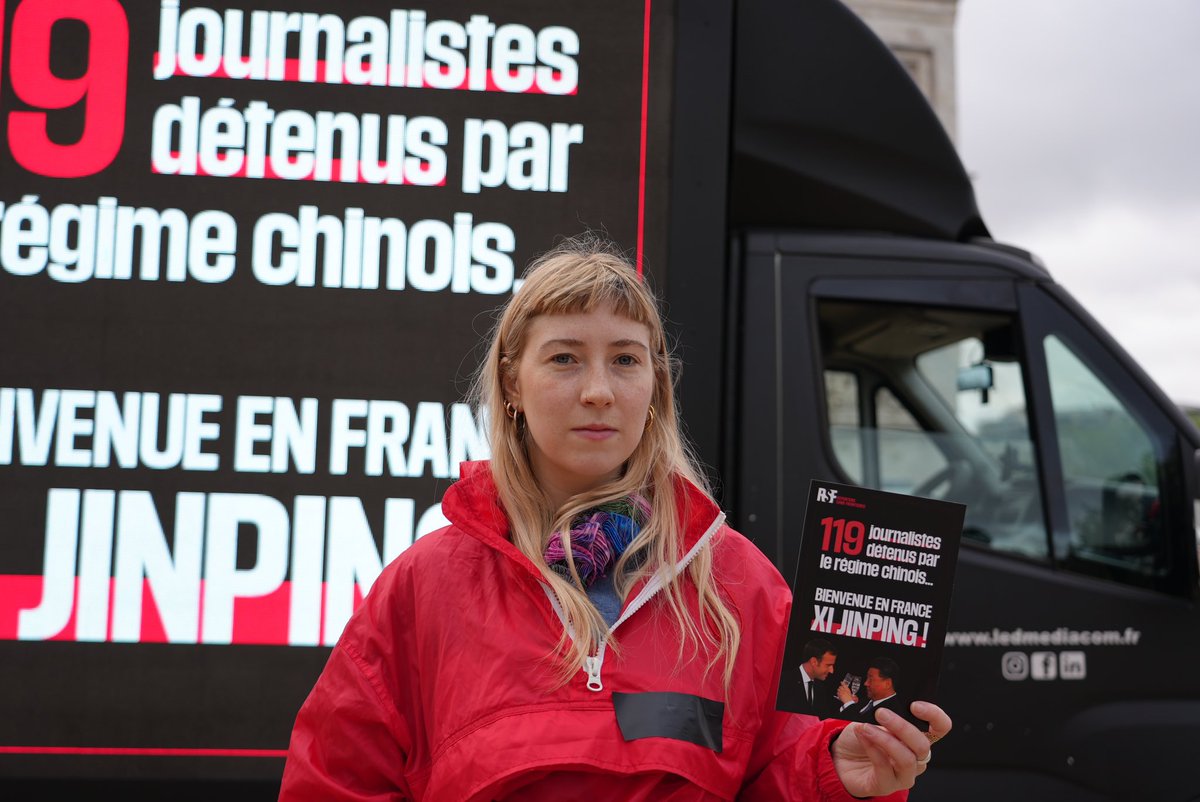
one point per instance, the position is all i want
(635, 659)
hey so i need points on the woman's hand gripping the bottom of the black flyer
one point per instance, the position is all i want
(874, 761)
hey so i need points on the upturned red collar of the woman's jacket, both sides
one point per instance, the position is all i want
(473, 505)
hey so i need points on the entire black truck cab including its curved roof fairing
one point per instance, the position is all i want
(875, 334)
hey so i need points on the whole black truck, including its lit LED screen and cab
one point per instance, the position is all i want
(248, 249)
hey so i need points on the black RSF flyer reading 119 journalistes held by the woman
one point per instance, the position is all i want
(872, 598)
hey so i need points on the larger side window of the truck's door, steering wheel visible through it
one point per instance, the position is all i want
(931, 402)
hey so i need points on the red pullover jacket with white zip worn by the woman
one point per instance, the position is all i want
(443, 685)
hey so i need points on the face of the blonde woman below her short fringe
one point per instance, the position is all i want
(585, 384)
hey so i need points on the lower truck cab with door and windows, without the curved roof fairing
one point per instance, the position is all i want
(1075, 631)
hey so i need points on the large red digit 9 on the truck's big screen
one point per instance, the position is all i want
(101, 88)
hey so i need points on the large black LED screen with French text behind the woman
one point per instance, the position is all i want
(247, 256)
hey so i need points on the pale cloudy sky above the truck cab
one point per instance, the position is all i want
(1079, 123)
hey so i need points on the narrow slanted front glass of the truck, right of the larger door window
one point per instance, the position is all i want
(1111, 471)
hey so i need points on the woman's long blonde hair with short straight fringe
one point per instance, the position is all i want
(583, 274)
